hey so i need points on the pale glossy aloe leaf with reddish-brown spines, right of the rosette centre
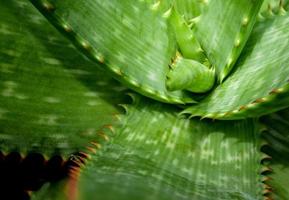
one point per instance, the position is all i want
(259, 85)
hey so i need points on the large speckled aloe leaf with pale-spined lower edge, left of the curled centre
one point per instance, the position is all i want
(130, 37)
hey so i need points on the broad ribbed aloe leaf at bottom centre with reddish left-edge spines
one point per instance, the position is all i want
(157, 155)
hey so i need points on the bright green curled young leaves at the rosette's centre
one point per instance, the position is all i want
(190, 69)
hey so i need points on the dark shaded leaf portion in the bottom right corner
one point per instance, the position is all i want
(278, 148)
